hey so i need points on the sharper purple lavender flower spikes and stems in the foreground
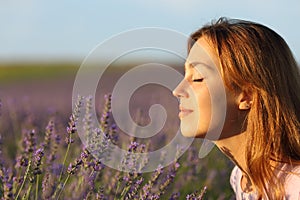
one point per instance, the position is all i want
(55, 165)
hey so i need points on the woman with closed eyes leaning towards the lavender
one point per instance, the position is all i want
(260, 130)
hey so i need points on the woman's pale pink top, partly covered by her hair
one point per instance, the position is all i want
(292, 185)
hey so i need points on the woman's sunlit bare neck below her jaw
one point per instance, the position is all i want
(235, 148)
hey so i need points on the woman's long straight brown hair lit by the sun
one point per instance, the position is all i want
(254, 56)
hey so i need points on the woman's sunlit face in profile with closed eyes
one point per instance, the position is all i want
(207, 109)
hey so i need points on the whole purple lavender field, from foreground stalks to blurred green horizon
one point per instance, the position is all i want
(42, 156)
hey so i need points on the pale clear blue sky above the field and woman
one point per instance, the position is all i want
(70, 29)
